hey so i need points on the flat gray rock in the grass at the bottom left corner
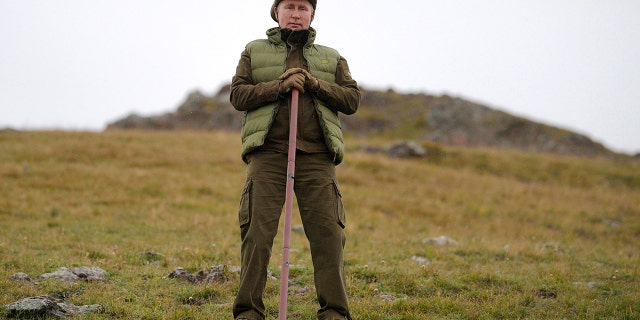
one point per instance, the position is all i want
(43, 306)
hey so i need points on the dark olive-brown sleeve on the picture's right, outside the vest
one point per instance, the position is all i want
(343, 95)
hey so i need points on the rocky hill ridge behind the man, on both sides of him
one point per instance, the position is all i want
(441, 119)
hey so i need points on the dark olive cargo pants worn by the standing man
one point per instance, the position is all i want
(322, 214)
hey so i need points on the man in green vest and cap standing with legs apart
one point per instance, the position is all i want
(267, 72)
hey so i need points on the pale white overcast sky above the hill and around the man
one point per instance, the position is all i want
(79, 64)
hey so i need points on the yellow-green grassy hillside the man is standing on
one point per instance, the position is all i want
(537, 236)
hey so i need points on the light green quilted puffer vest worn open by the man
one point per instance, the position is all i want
(268, 57)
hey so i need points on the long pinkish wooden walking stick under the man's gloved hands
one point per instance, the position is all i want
(291, 167)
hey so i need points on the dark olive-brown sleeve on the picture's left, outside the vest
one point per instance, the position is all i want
(247, 96)
